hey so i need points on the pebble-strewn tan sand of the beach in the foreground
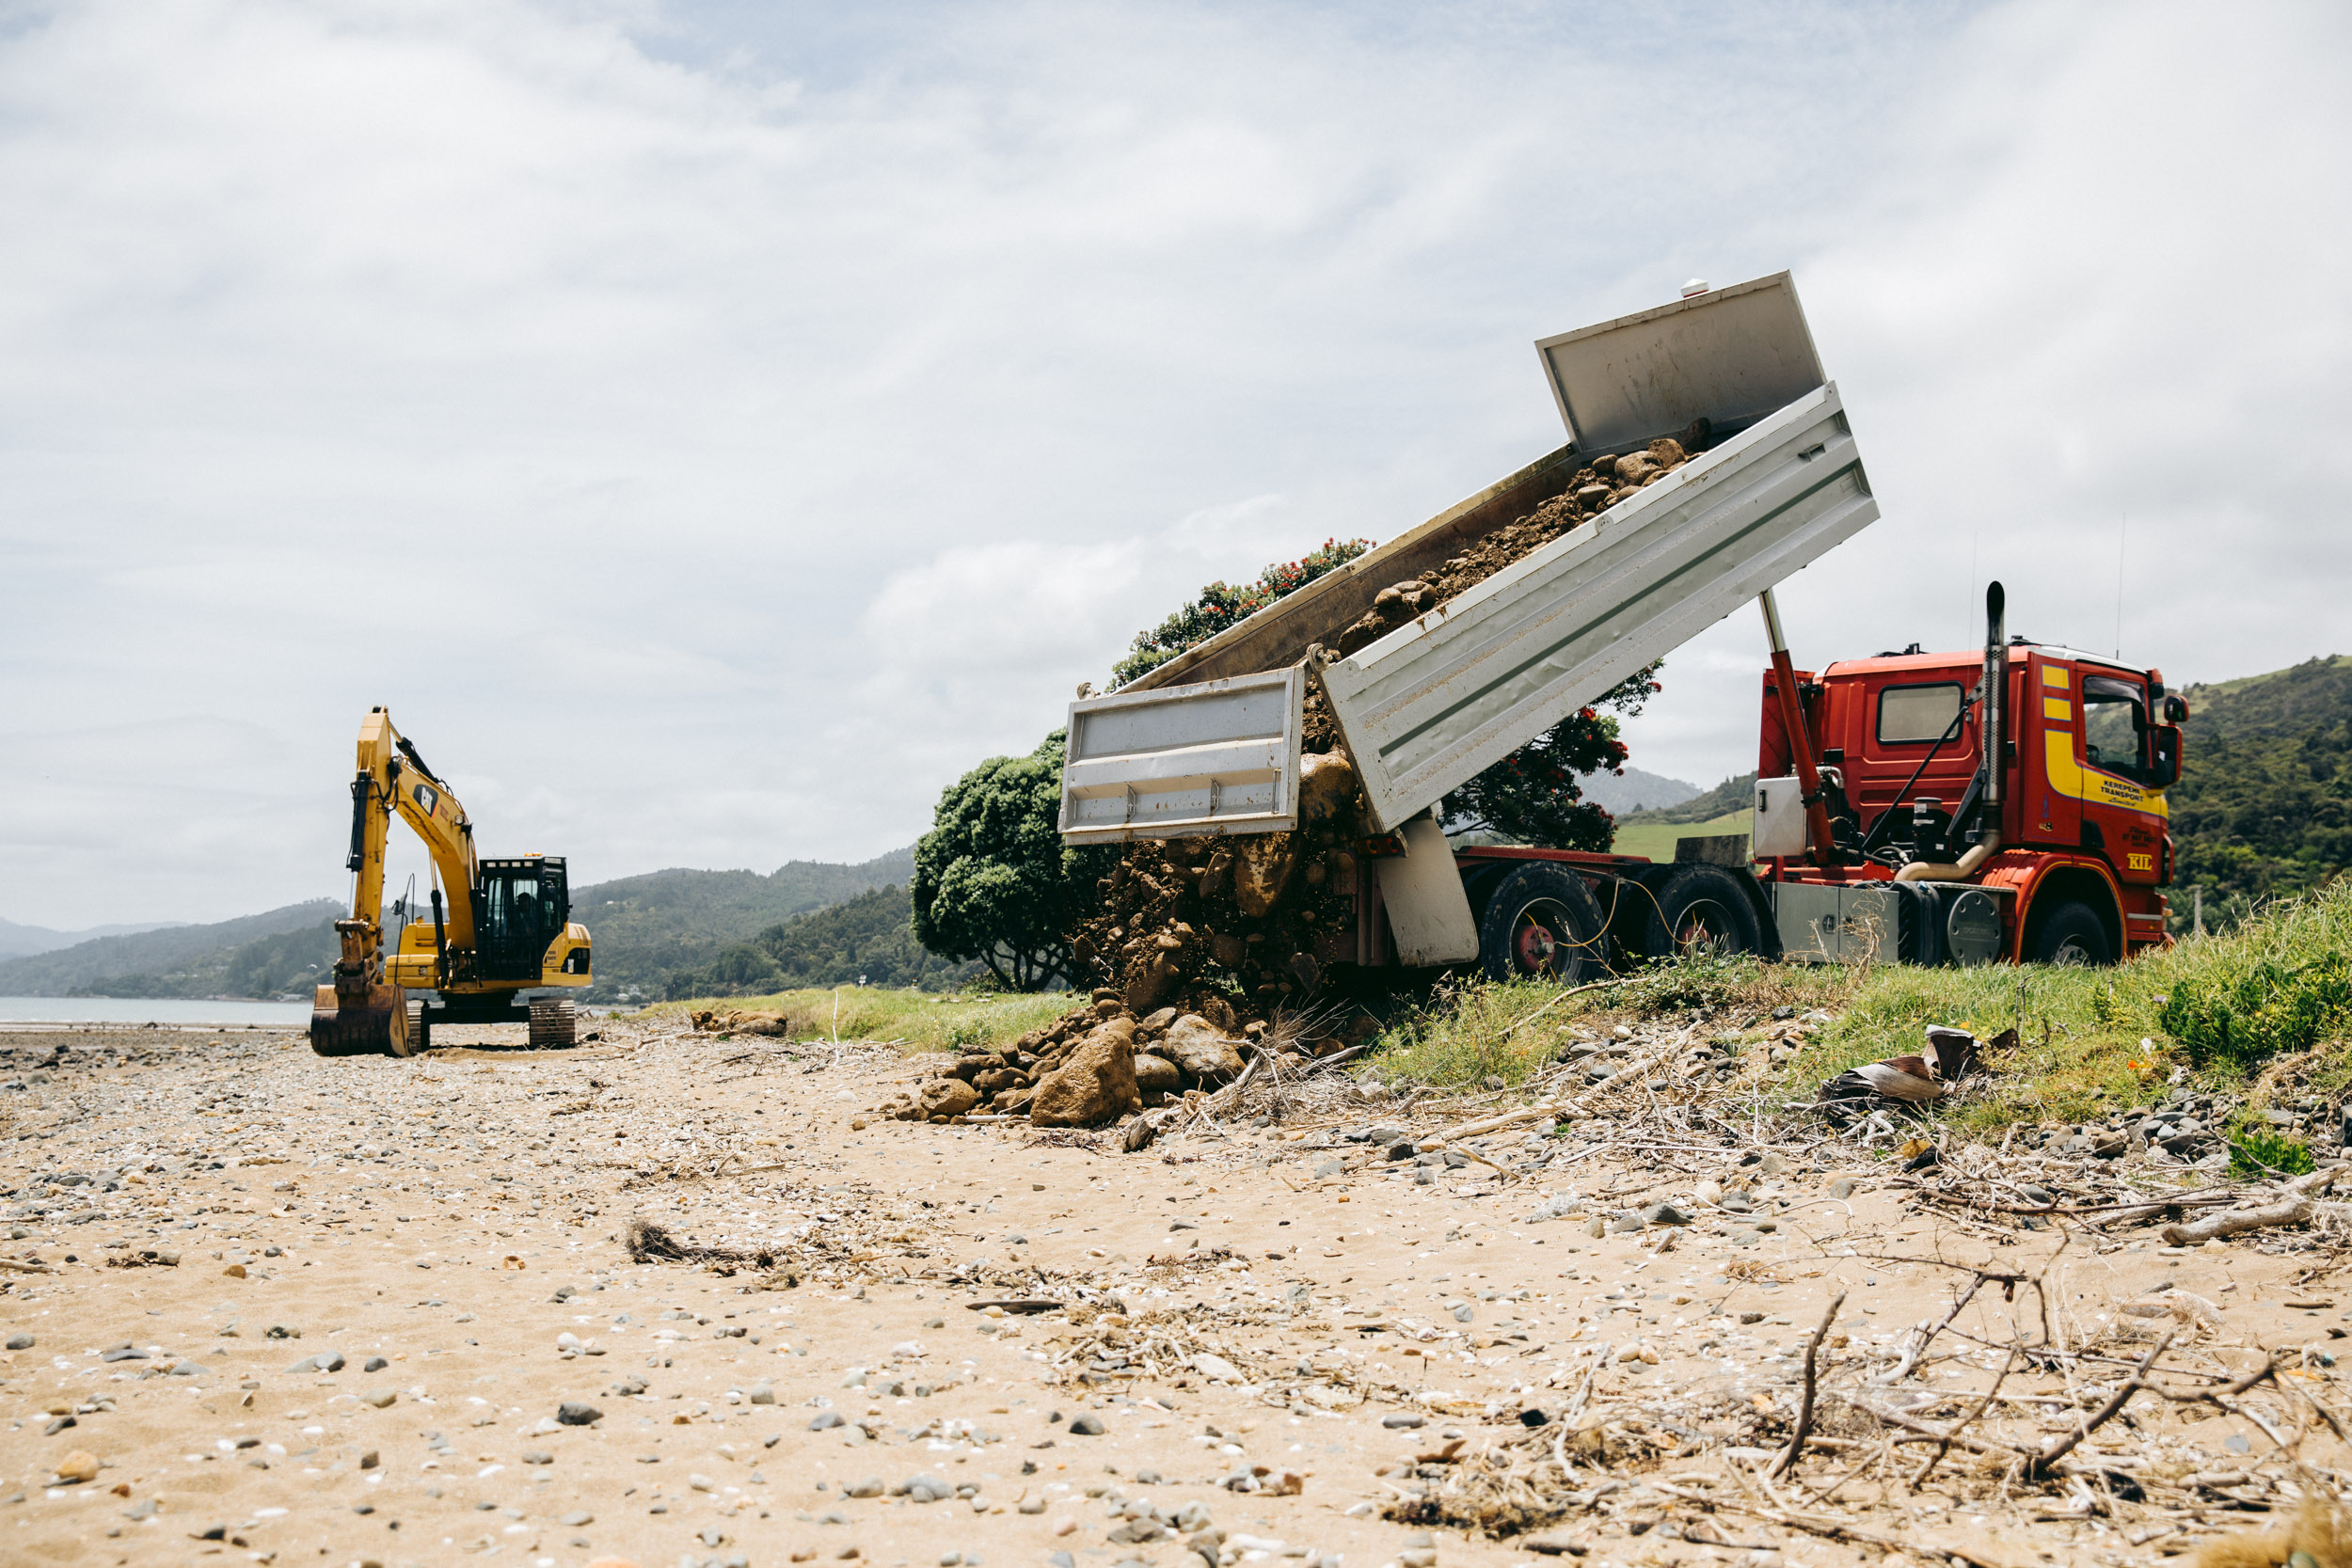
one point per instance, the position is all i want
(462, 1217)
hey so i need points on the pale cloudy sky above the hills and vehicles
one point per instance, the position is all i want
(711, 429)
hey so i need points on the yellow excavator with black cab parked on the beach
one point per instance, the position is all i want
(505, 930)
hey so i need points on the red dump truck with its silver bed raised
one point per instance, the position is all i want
(1920, 808)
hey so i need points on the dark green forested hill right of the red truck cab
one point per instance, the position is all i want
(2266, 789)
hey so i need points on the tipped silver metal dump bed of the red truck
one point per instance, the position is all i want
(1438, 699)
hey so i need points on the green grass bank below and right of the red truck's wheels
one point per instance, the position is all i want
(2092, 1043)
